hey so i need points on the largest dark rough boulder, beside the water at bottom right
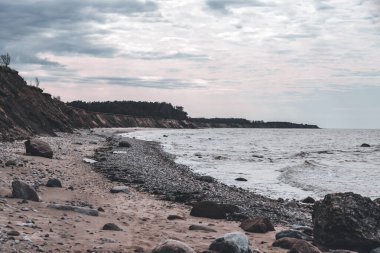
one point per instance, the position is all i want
(347, 221)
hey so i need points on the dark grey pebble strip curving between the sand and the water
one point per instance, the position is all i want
(146, 167)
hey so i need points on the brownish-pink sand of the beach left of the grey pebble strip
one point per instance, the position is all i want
(142, 217)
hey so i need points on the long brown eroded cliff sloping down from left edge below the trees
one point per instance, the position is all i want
(26, 110)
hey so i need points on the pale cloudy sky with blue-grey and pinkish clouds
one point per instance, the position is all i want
(275, 60)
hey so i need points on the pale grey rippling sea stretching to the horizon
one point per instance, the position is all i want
(278, 163)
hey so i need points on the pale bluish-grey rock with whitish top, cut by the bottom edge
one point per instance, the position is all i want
(234, 242)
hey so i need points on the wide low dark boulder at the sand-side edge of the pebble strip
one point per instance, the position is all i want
(208, 209)
